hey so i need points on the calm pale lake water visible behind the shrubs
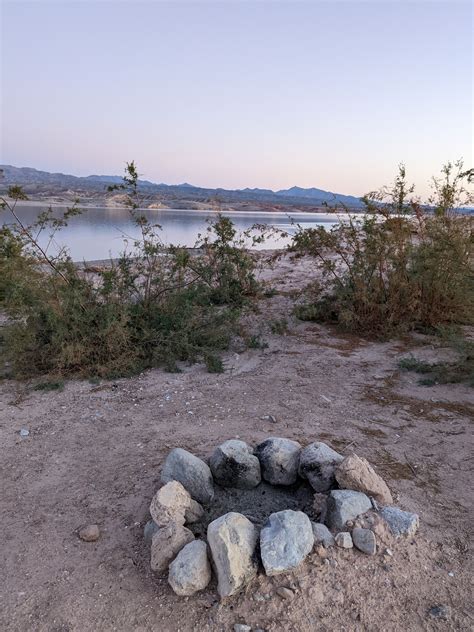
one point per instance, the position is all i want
(98, 233)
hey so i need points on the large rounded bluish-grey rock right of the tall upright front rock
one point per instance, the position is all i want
(285, 541)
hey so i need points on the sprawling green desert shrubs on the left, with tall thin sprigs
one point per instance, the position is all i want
(154, 306)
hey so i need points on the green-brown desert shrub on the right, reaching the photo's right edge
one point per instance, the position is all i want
(397, 266)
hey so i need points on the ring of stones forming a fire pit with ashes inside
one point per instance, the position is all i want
(350, 506)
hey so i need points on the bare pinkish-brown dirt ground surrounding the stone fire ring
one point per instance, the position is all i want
(94, 454)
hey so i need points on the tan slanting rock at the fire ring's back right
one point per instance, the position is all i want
(357, 474)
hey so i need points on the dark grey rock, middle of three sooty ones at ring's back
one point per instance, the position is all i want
(279, 459)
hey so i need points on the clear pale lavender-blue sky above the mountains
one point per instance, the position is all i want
(239, 94)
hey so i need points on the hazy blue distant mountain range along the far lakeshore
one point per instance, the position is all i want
(43, 182)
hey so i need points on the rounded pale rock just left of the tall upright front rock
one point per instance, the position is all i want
(190, 571)
